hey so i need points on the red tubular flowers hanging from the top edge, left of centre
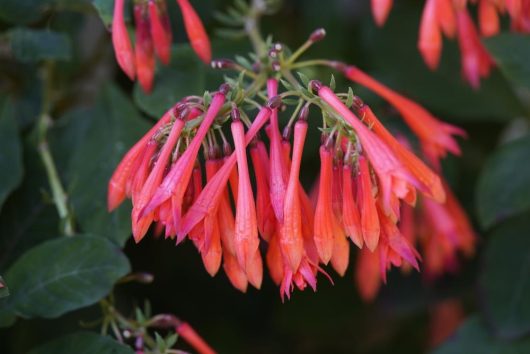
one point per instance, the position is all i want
(153, 36)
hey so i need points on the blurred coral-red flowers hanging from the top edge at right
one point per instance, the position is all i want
(452, 19)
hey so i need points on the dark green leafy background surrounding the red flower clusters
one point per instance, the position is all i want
(54, 282)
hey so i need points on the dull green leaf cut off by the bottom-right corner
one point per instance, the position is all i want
(472, 337)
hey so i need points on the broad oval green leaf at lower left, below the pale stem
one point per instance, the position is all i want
(63, 275)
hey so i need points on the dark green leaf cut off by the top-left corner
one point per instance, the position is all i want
(23, 11)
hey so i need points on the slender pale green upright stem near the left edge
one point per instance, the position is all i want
(60, 198)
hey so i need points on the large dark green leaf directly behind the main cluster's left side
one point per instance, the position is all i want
(114, 127)
